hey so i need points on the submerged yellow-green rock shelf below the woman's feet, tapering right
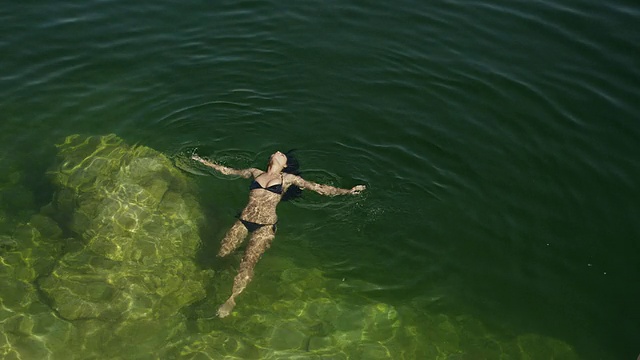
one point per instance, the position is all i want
(299, 313)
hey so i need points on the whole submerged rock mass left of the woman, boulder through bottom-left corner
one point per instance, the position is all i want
(104, 270)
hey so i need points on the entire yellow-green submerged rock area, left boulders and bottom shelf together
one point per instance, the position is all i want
(104, 270)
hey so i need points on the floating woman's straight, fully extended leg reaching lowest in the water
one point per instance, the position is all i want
(259, 243)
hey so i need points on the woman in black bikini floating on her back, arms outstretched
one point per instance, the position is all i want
(259, 216)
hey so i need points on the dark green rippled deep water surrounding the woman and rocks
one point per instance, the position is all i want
(499, 140)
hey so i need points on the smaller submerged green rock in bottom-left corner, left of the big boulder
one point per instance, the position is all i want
(30, 330)
